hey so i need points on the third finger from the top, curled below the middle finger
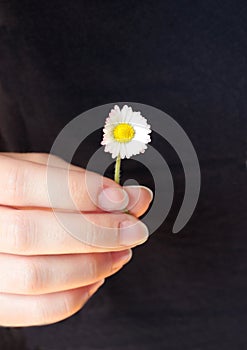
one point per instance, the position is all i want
(35, 275)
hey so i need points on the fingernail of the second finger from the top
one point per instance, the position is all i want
(132, 233)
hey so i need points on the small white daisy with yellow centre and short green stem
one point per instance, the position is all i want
(126, 133)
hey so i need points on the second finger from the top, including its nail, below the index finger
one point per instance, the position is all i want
(37, 232)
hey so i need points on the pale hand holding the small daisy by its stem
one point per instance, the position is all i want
(46, 273)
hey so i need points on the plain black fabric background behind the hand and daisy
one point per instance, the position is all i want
(188, 58)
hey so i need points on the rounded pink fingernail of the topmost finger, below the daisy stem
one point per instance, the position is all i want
(111, 199)
